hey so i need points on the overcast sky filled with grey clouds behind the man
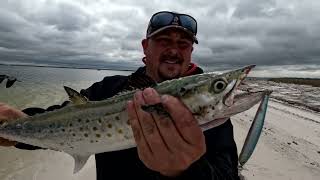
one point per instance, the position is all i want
(274, 33)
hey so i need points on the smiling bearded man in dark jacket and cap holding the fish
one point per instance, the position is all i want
(167, 148)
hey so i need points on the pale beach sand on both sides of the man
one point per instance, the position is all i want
(289, 148)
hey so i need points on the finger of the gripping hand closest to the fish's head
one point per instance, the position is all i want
(183, 119)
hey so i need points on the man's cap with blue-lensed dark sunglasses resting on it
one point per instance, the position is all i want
(166, 18)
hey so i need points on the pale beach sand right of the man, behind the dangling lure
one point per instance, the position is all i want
(289, 146)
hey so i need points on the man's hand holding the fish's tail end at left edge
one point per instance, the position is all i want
(8, 113)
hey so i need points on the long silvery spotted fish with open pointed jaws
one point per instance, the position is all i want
(84, 128)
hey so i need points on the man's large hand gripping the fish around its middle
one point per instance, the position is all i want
(166, 145)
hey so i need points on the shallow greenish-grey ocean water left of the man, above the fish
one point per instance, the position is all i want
(43, 86)
